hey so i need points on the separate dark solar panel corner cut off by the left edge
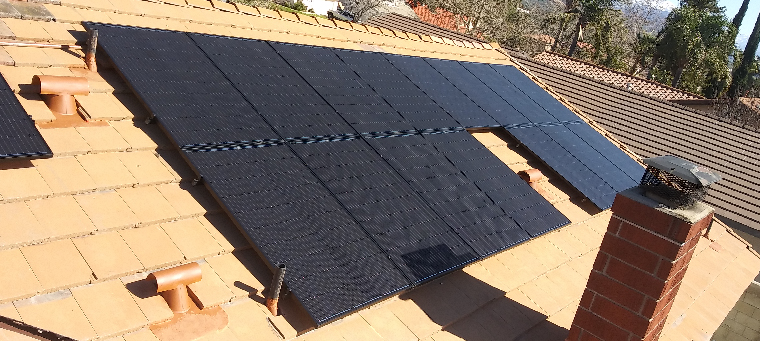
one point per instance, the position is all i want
(19, 138)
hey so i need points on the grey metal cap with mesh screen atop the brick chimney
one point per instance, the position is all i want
(675, 182)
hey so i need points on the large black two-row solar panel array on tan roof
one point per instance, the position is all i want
(354, 169)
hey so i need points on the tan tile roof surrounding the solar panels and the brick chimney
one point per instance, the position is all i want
(82, 229)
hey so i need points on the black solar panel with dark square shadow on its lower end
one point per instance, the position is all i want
(388, 209)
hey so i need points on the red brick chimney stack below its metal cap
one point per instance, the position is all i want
(639, 268)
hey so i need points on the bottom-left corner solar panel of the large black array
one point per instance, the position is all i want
(333, 264)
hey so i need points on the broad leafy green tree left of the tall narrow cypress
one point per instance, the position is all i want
(692, 49)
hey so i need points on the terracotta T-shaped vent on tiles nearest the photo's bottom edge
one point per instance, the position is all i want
(172, 285)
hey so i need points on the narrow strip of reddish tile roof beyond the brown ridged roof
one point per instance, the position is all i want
(612, 77)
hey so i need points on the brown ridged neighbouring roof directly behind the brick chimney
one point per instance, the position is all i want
(654, 127)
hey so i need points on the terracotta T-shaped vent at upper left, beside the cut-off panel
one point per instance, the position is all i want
(60, 91)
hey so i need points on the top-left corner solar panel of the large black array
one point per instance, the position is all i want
(181, 86)
